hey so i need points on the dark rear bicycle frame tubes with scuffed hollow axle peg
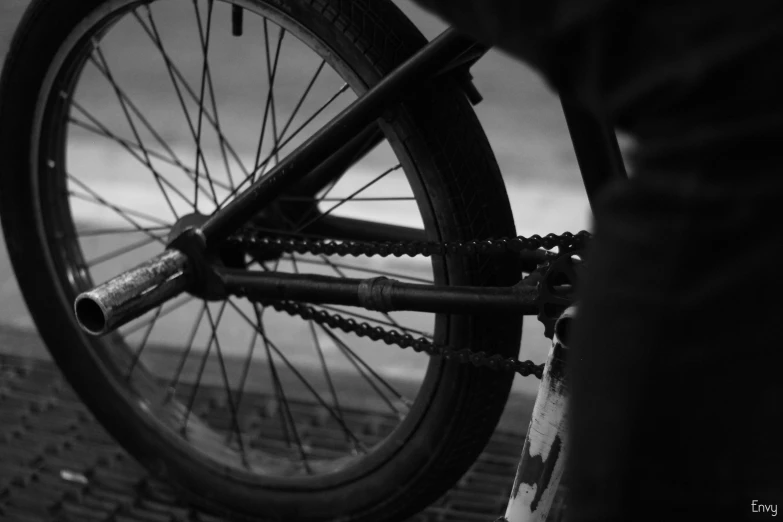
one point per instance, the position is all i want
(186, 265)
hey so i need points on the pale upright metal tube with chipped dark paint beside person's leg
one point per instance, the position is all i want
(543, 455)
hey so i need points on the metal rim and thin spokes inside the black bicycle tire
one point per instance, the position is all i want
(293, 466)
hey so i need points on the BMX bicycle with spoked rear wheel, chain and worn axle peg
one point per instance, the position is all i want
(260, 228)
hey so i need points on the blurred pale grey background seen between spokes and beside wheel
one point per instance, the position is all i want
(520, 115)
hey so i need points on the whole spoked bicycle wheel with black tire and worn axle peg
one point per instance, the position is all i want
(120, 118)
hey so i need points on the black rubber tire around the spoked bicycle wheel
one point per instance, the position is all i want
(464, 186)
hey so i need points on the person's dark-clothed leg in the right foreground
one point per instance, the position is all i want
(676, 392)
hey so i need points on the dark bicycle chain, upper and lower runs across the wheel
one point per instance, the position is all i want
(565, 243)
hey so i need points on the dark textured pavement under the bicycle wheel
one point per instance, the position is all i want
(58, 464)
